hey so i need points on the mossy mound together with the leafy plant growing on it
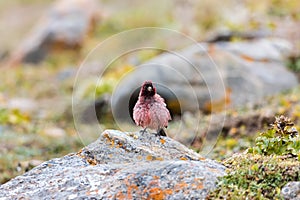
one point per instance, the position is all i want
(262, 170)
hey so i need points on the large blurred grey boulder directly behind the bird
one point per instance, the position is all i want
(209, 75)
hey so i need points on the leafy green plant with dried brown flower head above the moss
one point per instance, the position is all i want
(281, 139)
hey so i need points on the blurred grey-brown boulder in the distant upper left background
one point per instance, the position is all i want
(65, 26)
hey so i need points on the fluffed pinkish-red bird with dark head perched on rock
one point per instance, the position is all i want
(150, 111)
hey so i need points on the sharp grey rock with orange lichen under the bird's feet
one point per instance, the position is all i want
(120, 166)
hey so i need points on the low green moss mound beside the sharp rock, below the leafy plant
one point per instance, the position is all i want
(256, 177)
